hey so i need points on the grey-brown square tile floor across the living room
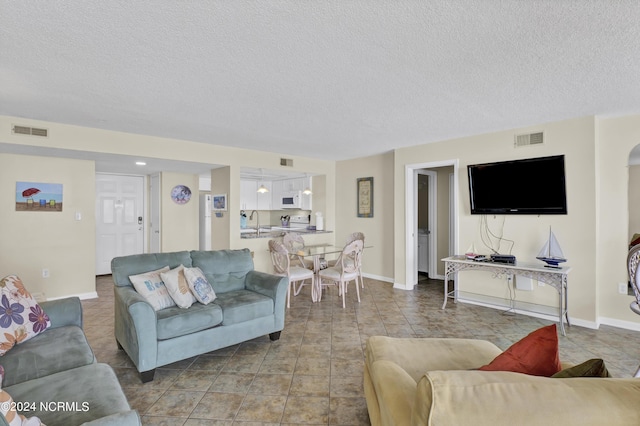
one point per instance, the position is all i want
(313, 374)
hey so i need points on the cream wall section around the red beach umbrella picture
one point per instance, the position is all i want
(32, 241)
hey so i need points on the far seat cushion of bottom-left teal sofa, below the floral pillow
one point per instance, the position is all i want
(45, 355)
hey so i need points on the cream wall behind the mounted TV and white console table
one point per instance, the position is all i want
(573, 138)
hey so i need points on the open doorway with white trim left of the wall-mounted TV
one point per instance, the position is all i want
(442, 228)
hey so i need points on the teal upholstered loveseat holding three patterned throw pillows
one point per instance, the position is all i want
(249, 304)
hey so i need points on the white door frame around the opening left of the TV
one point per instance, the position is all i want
(411, 231)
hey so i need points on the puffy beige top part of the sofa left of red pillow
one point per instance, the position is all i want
(417, 355)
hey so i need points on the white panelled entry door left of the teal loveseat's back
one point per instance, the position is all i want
(119, 218)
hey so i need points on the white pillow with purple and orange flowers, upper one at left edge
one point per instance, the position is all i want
(21, 317)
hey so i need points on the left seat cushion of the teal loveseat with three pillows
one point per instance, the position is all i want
(174, 322)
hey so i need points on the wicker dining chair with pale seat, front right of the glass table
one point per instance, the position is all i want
(344, 272)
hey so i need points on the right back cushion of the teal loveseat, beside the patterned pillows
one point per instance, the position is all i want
(224, 269)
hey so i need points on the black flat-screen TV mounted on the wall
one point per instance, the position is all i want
(529, 186)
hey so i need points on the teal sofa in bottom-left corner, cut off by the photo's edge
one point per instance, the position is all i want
(54, 376)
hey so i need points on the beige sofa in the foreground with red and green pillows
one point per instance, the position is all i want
(434, 382)
